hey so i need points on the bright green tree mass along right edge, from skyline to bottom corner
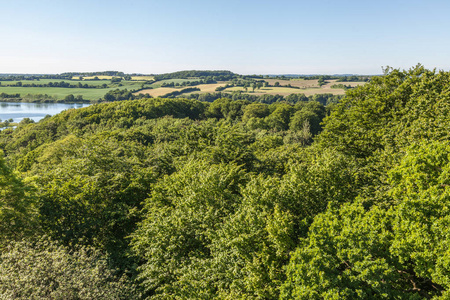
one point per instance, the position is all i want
(391, 241)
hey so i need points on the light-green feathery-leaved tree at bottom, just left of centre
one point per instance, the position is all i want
(181, 215)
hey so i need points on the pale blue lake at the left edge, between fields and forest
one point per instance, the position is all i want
(35, 111)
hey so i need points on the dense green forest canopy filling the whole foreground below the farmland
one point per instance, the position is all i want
(232, 198)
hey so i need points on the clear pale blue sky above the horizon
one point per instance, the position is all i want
(243, 36)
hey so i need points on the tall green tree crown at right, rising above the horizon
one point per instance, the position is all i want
(390, 112)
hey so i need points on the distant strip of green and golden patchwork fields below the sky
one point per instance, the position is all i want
(97, 87)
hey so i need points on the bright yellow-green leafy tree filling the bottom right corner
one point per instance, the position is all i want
(391, 249)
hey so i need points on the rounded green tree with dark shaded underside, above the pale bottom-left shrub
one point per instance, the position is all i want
(90, 192)
